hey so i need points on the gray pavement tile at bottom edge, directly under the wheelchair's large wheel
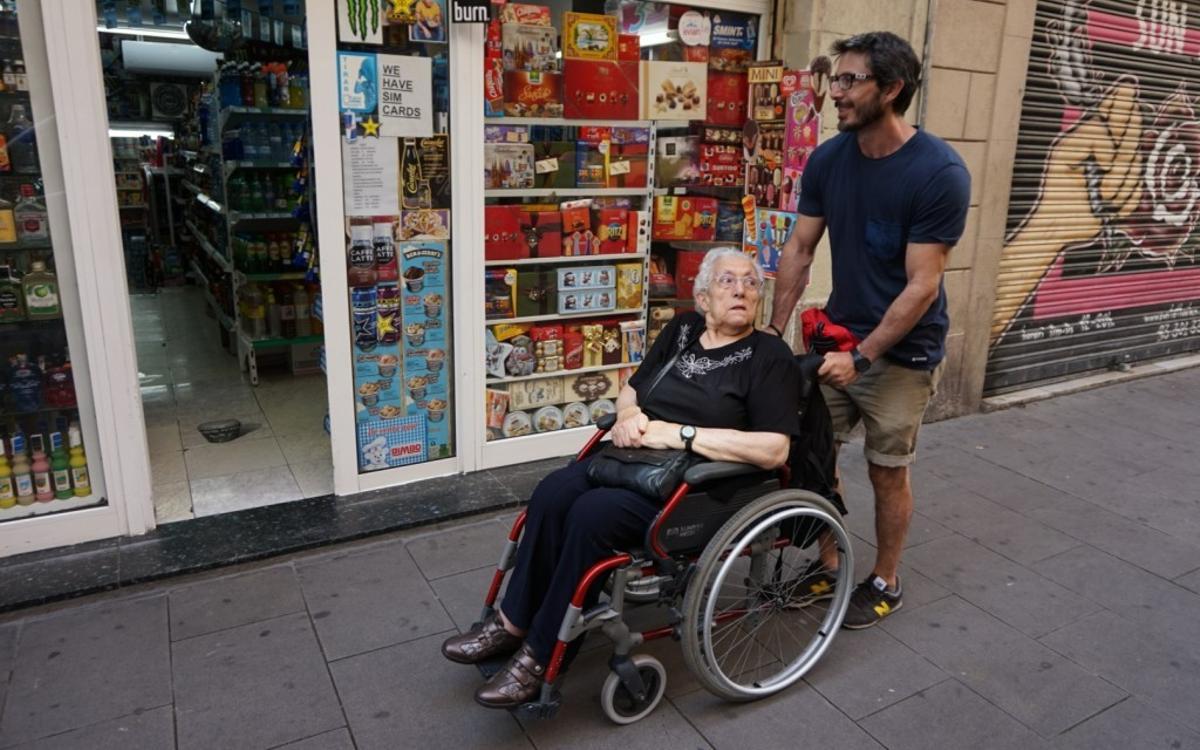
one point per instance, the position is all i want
(797, 717)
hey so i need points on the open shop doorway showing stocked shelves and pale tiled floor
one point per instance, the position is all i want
(211, 133)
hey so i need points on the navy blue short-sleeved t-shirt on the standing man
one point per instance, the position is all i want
(873, 209)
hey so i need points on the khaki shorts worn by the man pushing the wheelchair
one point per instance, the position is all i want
(891, 401)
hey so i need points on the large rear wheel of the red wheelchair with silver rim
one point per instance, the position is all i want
(748, 631)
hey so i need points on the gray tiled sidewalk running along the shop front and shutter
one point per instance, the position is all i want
(1052, 601)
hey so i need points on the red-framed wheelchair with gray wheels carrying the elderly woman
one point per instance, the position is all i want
(723, 562)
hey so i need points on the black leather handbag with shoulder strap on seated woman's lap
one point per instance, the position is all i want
(651, 472)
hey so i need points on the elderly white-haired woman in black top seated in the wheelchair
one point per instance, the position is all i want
(731, 395)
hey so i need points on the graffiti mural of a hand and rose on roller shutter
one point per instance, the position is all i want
(1101, 261)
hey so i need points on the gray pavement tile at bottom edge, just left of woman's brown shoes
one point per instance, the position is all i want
(410, 693)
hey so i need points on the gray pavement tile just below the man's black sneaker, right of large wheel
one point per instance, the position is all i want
(868, 670)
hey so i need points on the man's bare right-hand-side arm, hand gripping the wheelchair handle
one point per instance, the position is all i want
(925, 265)
